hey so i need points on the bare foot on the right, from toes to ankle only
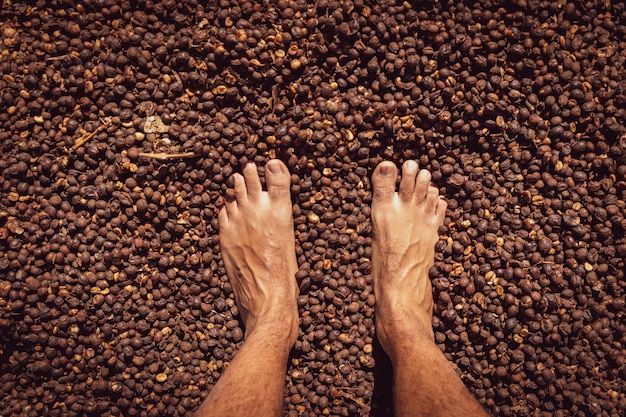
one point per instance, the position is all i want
(404, 226)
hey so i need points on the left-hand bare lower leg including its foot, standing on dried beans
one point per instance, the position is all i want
(258, 250)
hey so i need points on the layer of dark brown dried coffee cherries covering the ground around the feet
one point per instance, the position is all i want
(120, 126)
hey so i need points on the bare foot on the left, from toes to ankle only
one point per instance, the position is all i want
(258, 248)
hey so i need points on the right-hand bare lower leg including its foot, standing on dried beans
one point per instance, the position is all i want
(404, 226)
